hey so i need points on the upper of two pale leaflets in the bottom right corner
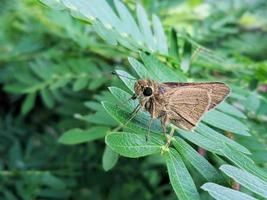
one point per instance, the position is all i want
(246, 179)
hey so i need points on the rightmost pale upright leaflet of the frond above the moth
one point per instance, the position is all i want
(159, 35)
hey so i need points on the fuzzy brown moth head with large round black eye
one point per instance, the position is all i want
(144, 88)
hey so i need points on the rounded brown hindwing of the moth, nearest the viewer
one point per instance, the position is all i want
(186, 106)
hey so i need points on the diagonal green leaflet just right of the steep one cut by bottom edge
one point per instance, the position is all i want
(197, 161)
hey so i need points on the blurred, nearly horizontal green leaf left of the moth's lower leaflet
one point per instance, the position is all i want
(77, 136)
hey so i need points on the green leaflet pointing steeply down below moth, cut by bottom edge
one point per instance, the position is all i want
(180, 178)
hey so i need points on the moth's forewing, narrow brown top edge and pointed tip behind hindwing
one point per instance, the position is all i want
(218, 91)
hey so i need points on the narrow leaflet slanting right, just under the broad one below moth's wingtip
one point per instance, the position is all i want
(220, 138)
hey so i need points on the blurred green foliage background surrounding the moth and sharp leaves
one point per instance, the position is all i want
(55, 70)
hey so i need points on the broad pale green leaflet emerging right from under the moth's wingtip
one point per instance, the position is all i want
(226, 122)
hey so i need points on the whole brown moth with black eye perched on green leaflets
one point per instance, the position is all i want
(182, 104)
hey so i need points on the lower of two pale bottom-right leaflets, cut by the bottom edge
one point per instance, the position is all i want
(224, 193)
